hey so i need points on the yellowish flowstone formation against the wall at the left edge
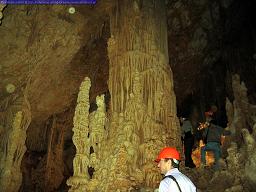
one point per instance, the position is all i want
(14, 123)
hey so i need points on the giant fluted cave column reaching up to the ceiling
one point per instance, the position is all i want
(142, 114)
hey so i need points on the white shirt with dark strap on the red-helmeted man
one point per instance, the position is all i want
(168, 185)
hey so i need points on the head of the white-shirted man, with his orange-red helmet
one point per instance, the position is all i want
(168, 159)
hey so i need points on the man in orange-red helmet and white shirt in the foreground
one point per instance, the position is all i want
(174, 181)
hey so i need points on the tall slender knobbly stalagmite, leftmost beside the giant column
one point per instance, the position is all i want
(80, 139)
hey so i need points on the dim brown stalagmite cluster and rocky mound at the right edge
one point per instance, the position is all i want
(238, 170)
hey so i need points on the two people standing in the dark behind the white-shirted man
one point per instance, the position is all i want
(209, 132)
